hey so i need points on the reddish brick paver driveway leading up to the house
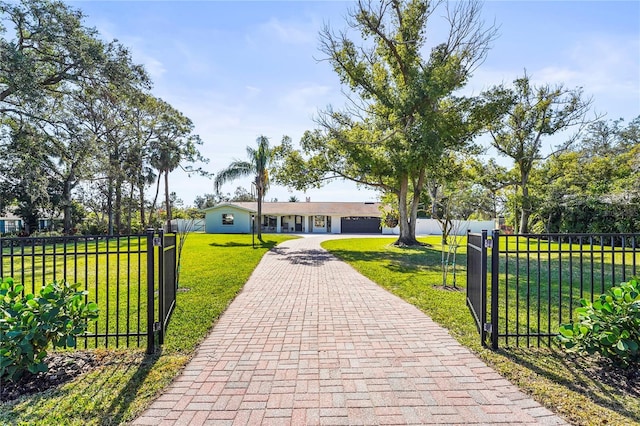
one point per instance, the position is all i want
(311, 341)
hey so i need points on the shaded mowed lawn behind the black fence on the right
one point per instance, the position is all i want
(550, 278)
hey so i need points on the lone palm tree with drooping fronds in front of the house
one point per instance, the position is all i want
(257, 166)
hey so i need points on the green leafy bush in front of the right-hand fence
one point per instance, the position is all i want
(609, 326)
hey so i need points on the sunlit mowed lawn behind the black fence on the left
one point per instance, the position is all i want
(113, 272)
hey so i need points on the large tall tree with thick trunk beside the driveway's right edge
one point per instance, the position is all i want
(402, 115)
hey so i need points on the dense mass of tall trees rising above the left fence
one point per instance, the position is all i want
(78, 121)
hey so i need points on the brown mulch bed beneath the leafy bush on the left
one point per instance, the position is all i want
(63, 367)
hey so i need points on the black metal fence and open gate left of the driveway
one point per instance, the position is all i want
(125, 275)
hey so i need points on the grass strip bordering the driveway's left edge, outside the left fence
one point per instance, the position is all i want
(214, 269)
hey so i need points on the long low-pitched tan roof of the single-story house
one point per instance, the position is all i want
(308, 208)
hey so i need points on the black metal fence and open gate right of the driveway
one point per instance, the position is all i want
(536, 280)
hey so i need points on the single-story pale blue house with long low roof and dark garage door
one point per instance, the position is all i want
(298, 217)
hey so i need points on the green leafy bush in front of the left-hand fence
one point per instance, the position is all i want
(29, 324)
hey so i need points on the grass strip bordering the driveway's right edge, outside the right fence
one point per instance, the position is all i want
(561, 383)
